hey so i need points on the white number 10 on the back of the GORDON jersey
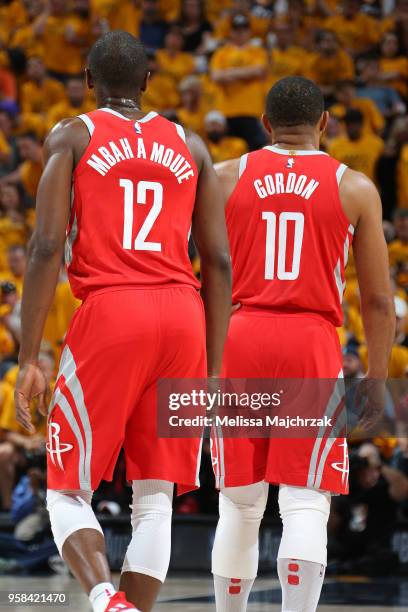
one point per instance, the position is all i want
(270, 256)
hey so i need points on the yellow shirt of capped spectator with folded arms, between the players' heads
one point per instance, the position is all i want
(243, 97)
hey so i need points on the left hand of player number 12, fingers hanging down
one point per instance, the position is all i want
(31, 383)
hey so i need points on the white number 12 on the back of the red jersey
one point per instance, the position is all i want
(142, 188)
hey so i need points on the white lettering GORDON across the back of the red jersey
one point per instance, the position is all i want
(280, 183)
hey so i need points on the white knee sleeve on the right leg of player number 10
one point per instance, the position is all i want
(304, 514)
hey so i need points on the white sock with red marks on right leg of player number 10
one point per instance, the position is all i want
(301, 584)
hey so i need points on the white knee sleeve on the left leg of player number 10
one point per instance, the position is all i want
(236, 552)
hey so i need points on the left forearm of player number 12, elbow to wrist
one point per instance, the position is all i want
(39, 287)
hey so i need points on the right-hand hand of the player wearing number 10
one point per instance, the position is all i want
(370, 401)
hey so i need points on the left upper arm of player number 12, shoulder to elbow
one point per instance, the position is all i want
(54, 191)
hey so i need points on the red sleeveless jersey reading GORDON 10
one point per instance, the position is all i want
(288, 233)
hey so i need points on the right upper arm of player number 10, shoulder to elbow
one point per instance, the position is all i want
(362, 205)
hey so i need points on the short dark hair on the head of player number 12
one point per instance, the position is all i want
(118, 61)
